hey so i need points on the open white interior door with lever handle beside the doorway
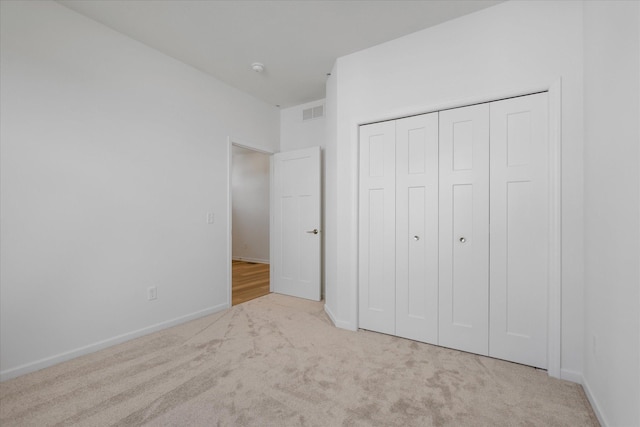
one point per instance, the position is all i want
(295, 238)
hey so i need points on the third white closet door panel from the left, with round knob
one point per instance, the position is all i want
(464, 228)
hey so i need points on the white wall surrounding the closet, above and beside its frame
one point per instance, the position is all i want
(505, 49)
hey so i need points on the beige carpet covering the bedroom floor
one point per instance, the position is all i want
(278, 361)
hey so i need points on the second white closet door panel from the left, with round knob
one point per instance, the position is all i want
(417, 228)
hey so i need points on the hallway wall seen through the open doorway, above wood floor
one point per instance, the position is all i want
(250, 205)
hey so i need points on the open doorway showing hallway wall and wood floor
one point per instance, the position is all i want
(250, 208)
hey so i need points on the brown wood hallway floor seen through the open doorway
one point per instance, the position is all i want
(250, 280)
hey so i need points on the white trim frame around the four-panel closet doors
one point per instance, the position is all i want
(554, 296)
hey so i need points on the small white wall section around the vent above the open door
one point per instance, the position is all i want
(295, 133)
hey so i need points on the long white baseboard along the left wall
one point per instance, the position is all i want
(72, 354)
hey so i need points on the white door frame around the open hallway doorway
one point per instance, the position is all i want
(231, 141)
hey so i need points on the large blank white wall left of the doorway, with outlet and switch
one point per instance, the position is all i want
(111, 155)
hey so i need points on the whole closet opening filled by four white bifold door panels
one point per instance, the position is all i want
(459, 238)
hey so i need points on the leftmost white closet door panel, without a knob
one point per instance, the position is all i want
(377, 254)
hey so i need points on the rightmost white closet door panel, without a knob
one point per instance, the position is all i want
(519, 230)
